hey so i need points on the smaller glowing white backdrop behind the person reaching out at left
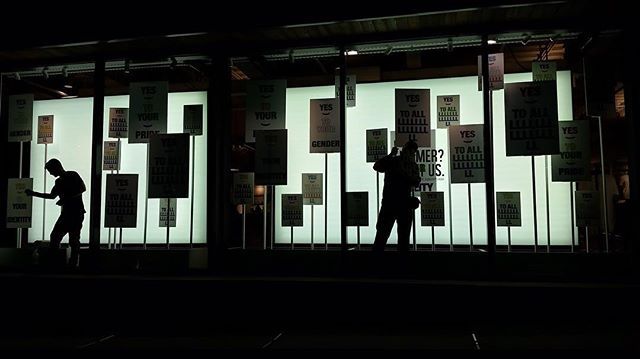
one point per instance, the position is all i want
(72, 145)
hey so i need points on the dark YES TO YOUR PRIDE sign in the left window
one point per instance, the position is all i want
(148, 110)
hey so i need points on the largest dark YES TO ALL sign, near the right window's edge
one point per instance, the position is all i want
(531, 115)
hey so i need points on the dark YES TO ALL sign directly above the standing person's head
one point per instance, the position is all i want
(413, 117)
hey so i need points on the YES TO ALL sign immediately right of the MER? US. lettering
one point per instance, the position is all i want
(466, 153)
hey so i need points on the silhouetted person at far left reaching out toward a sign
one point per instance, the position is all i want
(69, 188)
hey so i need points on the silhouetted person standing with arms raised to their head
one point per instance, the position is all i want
(401, 175)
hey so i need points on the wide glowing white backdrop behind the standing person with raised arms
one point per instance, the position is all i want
(375, 109)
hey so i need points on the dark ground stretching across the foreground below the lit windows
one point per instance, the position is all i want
(158, 301)
